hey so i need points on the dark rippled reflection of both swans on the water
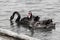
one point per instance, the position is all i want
(27, 30)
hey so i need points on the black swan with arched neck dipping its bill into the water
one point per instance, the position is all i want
(26, 20)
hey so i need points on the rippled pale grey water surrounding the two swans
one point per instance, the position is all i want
(43, 8)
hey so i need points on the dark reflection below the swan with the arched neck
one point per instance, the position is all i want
(23, 28)
